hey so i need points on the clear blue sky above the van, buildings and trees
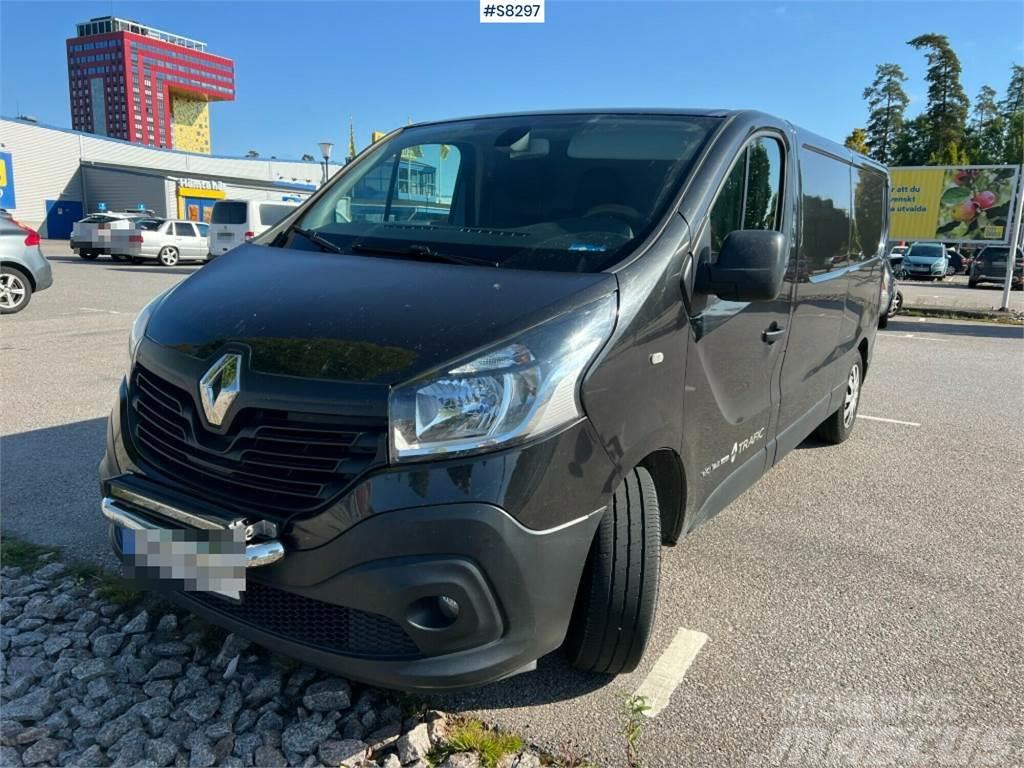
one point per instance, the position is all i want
(304, 68)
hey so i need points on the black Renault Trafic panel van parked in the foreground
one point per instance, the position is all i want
(450, 409)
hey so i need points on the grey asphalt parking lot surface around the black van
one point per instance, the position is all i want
(863, 604)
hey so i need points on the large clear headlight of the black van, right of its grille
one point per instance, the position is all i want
(517, 391)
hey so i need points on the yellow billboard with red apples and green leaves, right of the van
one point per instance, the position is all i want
(970, 204)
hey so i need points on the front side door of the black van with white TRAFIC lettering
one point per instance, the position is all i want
(737, 349)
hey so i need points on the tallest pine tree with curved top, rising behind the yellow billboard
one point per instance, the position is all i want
(948, 105)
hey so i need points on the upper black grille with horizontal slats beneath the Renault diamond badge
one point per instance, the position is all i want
(275, 462)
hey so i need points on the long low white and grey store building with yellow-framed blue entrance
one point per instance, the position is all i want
(52, 178)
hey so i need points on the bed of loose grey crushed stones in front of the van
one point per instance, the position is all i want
(89, 682)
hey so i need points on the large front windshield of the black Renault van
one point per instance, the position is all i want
(565, 193)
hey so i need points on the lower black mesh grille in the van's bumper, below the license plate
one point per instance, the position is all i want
(303, 620)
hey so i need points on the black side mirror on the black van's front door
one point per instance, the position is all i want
(751, 267)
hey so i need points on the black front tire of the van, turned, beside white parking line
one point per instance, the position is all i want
(615, 608)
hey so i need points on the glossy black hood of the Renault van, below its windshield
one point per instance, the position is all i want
(359, 319)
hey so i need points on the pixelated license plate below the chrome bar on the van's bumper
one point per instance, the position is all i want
(187, 559)
